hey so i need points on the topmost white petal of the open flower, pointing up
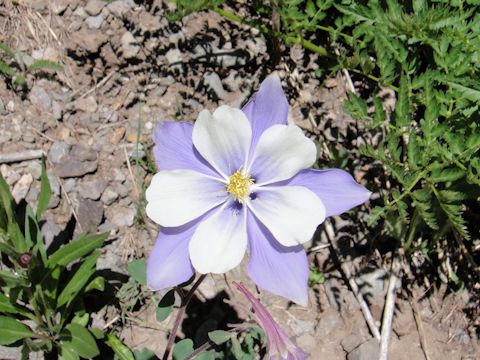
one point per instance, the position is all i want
(223, 138)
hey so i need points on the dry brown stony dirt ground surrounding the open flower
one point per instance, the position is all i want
(126, 68)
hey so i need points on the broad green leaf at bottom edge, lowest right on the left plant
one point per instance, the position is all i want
(80, 340)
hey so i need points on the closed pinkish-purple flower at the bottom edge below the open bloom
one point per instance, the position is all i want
(280, 347)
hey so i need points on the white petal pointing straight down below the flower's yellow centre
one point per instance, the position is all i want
(220, 242)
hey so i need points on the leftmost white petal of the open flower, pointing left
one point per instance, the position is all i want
(176, 197)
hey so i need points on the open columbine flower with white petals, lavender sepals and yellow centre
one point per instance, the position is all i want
(238, 179)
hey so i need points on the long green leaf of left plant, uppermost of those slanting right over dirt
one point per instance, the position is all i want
(76, 249)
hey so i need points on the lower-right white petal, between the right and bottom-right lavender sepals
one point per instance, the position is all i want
(290, 213)
